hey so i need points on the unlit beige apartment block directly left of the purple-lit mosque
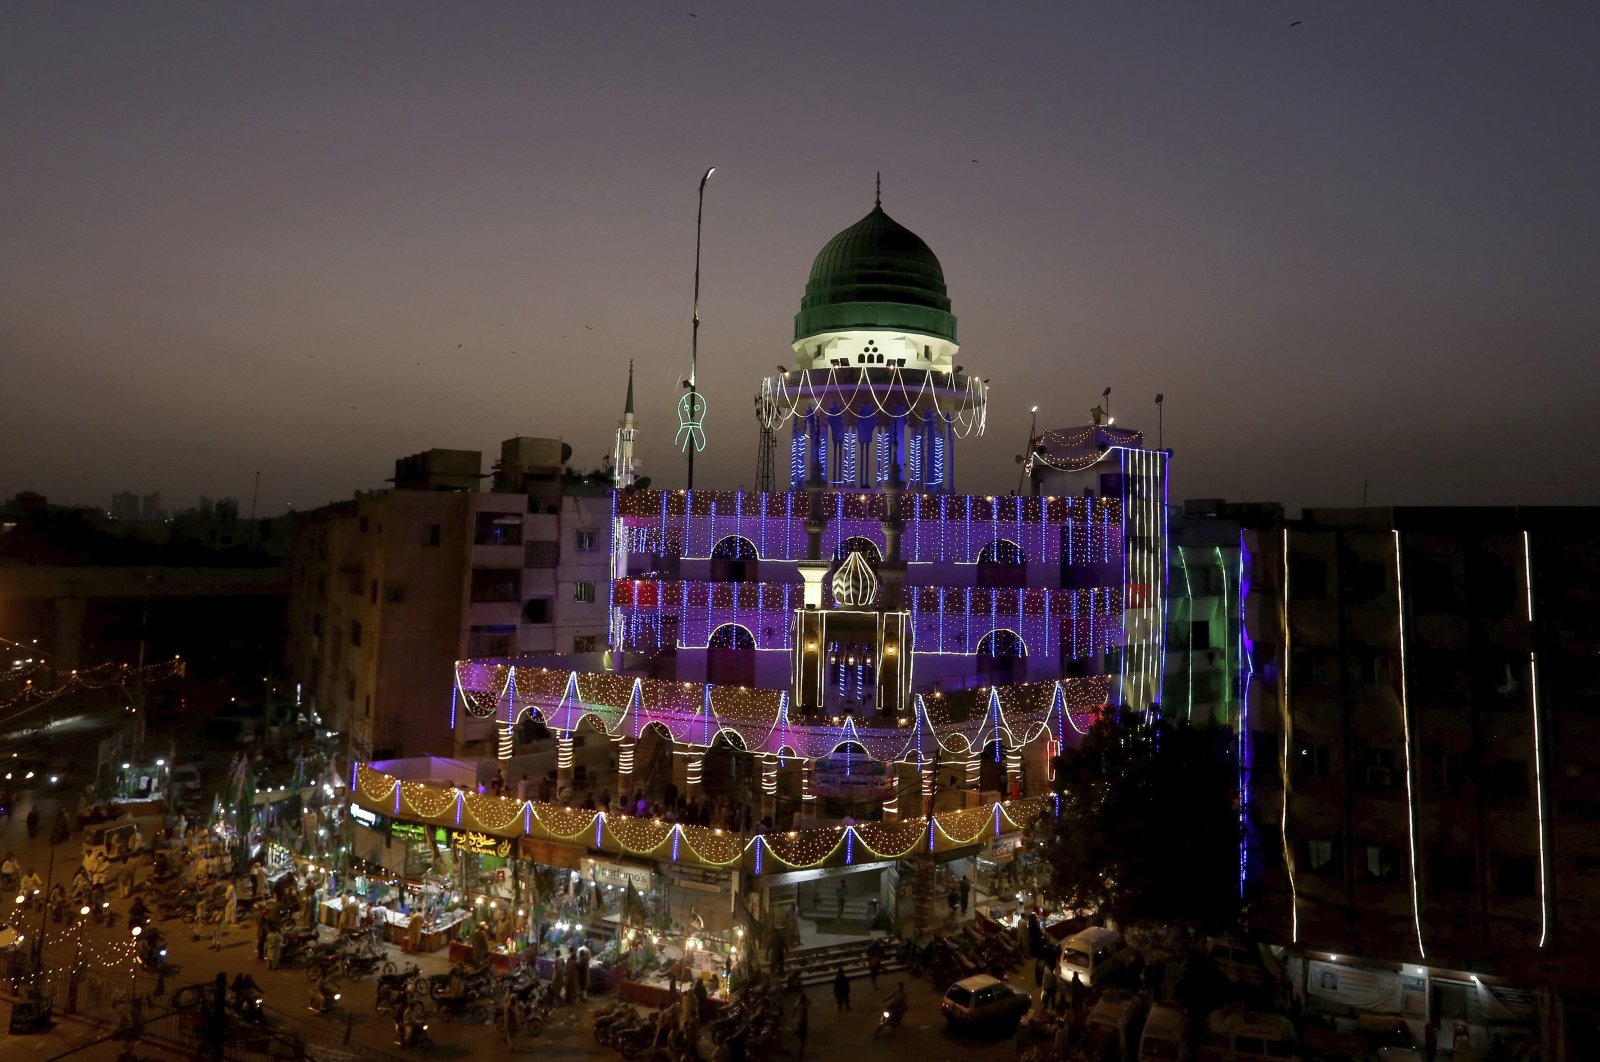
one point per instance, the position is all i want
(393, 588)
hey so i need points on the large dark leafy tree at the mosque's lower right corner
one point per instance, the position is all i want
(1150, 823)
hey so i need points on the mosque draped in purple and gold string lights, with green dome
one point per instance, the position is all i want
(817, 692)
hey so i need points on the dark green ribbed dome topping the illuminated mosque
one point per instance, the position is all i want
(876, 274)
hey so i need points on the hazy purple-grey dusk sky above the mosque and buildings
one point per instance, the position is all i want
(306, 239)
